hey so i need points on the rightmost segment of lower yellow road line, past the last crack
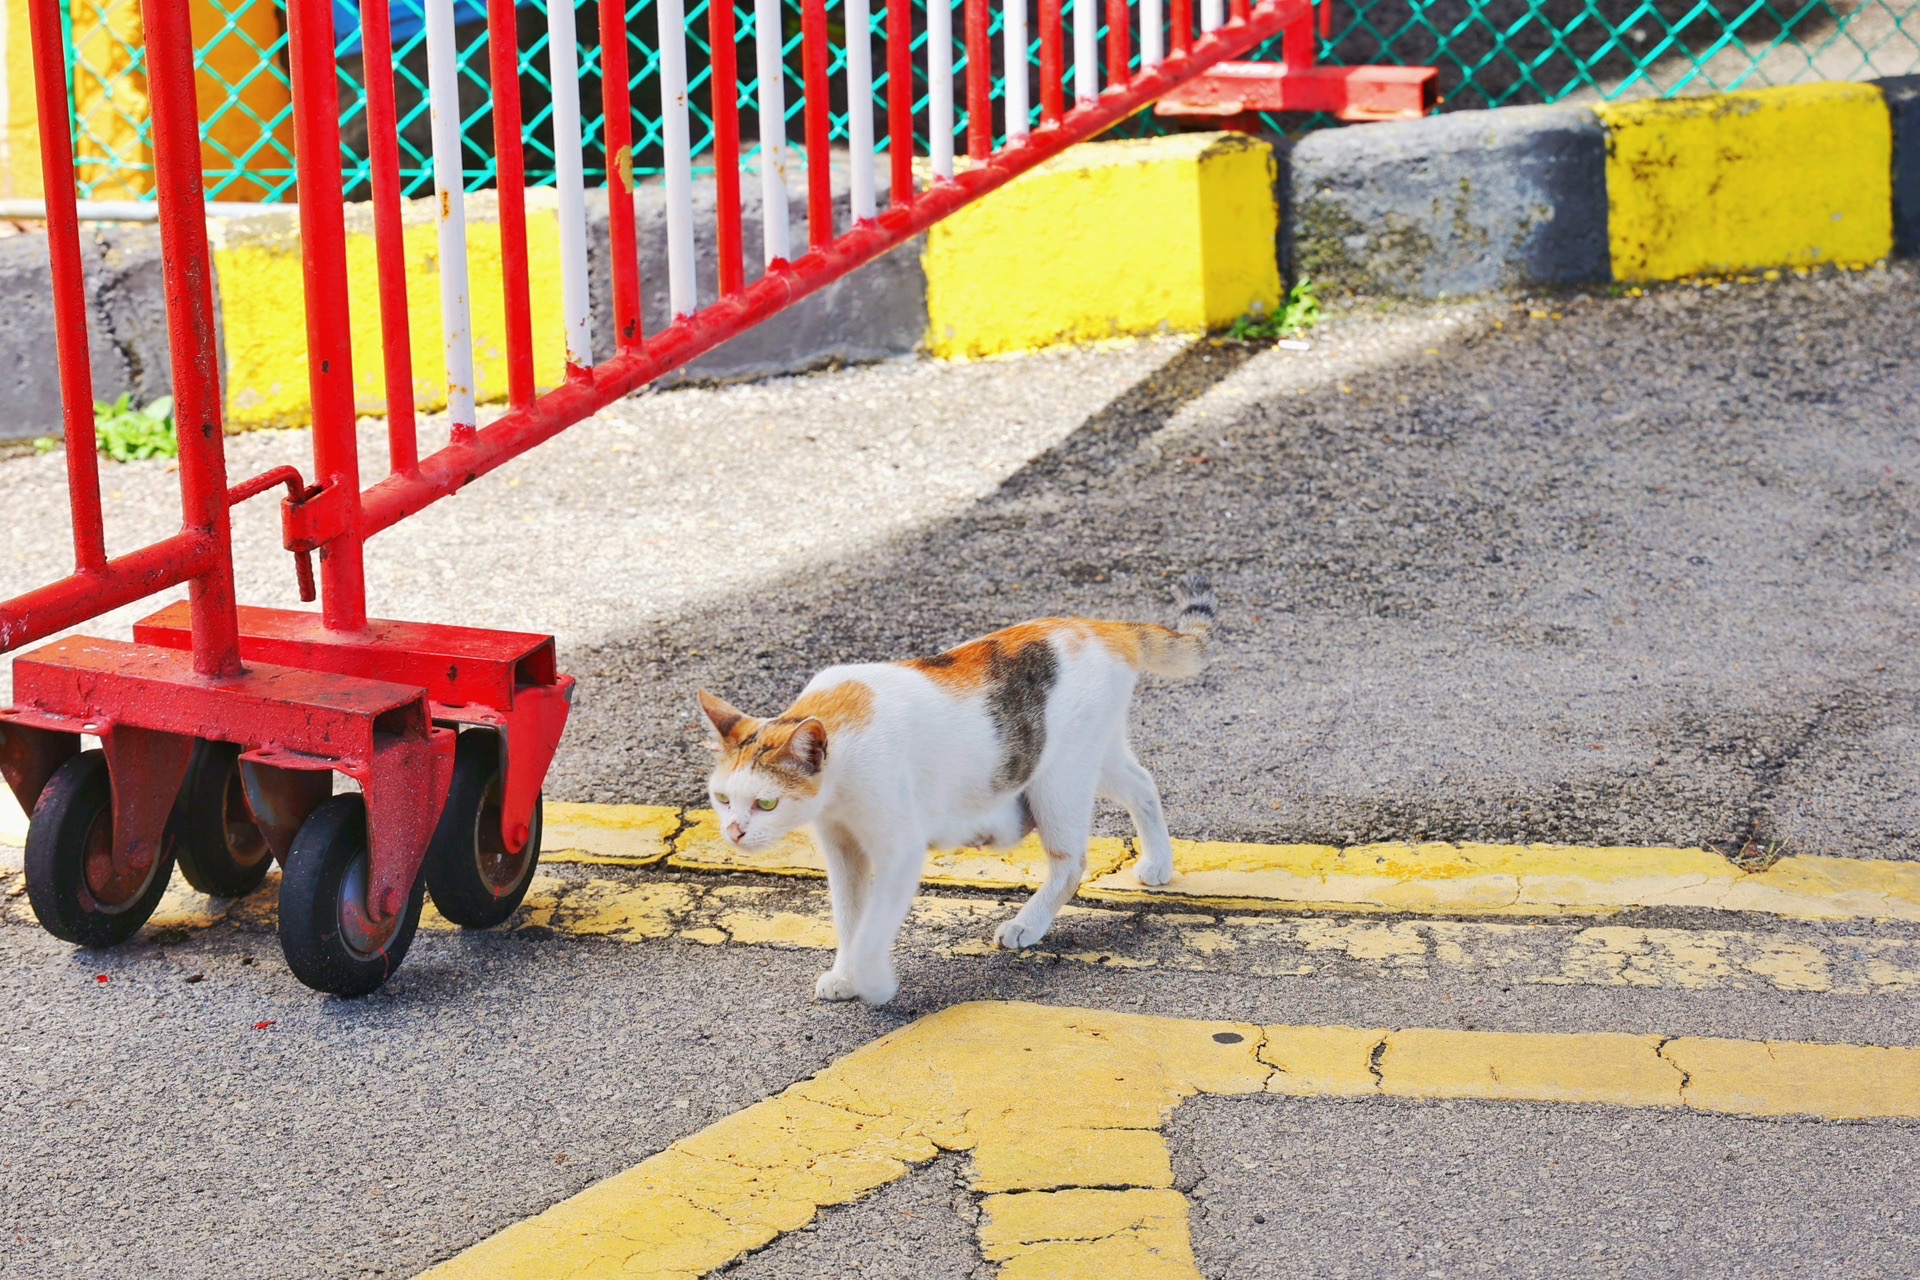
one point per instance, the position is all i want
(1836, 1081)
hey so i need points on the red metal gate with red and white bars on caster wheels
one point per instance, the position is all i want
(222, 726)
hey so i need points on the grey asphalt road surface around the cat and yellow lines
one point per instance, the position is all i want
(1570, 569)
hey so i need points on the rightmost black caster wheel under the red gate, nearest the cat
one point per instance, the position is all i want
(475, 882)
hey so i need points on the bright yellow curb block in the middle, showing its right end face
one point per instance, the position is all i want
(1111, 239)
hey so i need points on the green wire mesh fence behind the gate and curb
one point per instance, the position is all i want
(1489, 53)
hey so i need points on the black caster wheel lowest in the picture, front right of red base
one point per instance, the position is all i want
(329, 937)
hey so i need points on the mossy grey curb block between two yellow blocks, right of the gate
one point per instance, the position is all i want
(1451, 204)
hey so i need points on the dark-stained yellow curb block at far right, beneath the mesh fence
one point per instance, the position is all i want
(1775, 178)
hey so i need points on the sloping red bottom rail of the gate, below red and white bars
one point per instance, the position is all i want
(462, 463)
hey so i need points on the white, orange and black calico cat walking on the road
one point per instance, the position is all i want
(980, 746)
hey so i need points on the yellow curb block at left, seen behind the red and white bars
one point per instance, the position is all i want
(266, 331)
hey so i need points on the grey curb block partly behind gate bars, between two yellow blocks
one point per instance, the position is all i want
(875, 314)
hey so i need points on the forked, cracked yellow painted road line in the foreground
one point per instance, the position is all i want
(1040, 1097)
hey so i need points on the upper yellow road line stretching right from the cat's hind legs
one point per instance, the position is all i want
(1518, 880)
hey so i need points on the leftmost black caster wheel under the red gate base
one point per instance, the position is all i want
(72, 882)
